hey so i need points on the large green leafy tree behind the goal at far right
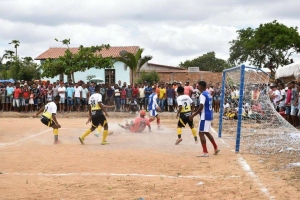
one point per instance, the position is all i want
(269, 45)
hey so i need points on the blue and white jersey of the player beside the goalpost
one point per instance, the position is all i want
(207, 112)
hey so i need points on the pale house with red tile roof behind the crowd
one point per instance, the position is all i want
(112, 75)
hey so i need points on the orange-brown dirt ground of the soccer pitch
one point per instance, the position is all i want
(134, 166)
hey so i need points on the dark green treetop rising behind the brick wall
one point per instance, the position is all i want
(206, 62)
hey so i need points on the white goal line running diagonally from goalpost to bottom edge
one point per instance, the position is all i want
(243, 163)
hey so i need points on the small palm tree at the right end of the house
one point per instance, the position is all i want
(133, 61)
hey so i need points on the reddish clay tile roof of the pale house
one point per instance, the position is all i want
(55, 52)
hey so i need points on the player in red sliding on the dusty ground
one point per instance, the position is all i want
(139, 124)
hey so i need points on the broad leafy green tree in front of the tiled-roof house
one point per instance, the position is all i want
(69, 63)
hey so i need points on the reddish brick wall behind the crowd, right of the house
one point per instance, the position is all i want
(214, 77)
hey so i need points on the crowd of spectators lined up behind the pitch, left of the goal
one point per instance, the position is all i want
(29, 96)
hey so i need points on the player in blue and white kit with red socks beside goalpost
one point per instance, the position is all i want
(206, 117)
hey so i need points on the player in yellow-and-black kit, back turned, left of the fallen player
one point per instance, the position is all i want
(96, 116)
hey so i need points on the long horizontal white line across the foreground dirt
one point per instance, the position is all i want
(116, 174)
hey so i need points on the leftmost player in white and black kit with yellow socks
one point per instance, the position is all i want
(49, 117)
